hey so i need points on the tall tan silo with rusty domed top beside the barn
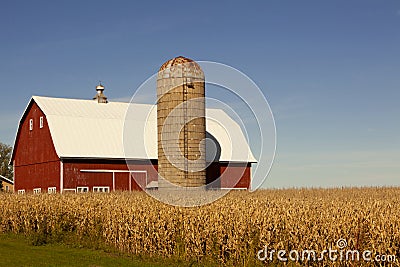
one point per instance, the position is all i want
(181, 124)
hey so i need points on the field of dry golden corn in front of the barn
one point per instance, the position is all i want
(230, 231)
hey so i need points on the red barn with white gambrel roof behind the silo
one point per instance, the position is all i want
(82, 145)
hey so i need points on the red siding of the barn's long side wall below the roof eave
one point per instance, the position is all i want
(235, 176)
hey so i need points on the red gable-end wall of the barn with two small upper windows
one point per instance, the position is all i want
(36, 164)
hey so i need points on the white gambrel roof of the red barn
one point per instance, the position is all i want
(116, 130)
